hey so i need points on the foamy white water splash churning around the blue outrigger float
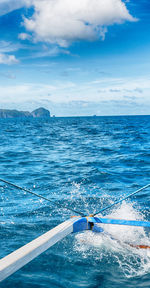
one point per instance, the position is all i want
(130, 261)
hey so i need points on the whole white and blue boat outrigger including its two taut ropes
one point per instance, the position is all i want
(17, 259)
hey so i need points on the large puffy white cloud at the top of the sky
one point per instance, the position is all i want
(64, 21)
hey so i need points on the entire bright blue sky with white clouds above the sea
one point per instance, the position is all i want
(75, 58)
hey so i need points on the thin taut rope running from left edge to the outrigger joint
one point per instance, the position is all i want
(40, 196)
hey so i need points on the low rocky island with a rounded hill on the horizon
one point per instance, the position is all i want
(38, 113)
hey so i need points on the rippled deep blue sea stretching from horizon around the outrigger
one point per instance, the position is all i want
(84, 163)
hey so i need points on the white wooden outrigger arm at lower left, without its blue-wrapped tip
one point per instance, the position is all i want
(17, 259)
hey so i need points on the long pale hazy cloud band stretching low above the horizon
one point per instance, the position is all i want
(66, 92)
